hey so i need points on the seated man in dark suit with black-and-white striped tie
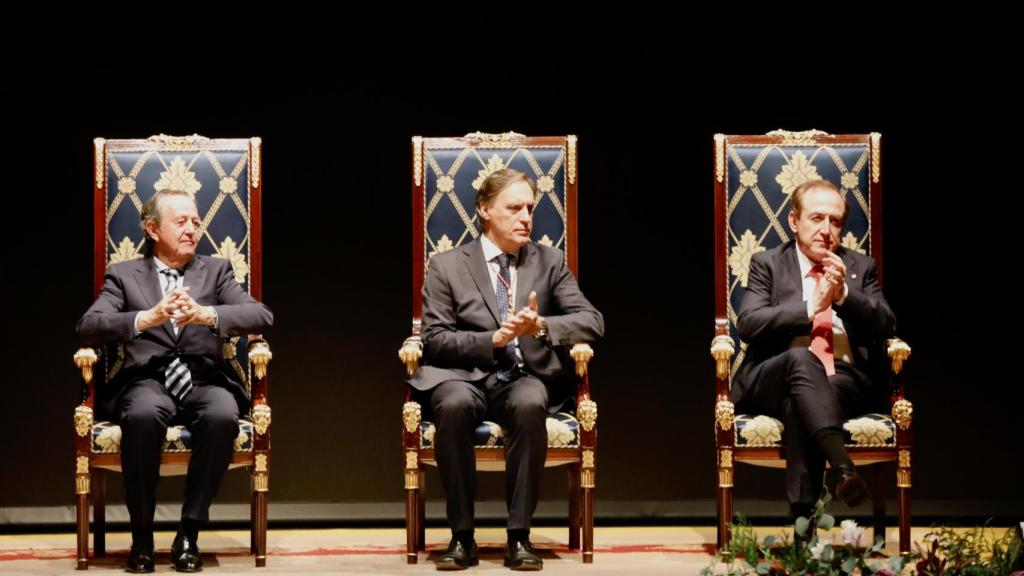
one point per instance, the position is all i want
(172, 310)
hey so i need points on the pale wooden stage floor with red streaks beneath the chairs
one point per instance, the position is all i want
(620, 551)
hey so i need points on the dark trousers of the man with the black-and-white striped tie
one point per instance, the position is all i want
(145, 412)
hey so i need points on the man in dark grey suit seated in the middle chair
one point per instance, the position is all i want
(484, 360)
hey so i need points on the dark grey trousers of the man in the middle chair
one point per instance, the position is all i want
(521, 407)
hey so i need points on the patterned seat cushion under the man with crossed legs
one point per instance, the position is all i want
(870, 431)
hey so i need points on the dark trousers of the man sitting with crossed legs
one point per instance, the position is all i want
(794, 388)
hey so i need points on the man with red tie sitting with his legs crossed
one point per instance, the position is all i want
(815, 320)
